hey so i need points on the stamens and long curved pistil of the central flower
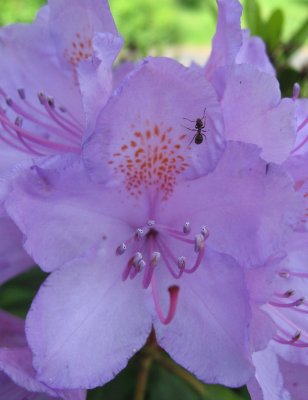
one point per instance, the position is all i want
(151, 246)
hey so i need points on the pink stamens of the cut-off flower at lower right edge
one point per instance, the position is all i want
(284, 307)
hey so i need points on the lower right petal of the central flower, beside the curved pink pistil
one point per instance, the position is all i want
(208, 335)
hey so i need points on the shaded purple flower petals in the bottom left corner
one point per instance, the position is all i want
(17, 376)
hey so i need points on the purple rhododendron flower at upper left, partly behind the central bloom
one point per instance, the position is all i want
(42, 72)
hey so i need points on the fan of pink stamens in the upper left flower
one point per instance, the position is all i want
(56, 129)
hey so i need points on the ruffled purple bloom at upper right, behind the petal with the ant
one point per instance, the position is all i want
(238, 65)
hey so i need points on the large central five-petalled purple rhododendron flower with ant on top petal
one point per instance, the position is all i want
(161, 214)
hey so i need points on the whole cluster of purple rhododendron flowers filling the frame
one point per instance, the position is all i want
(158, 197)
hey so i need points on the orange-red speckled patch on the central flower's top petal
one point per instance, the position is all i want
(152, 161)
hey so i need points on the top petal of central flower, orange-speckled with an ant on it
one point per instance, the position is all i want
(143, 118)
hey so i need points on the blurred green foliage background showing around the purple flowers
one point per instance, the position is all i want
(180, 28)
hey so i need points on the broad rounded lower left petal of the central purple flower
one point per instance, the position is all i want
(85, 322)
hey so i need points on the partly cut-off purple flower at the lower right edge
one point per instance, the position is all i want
(280, 291)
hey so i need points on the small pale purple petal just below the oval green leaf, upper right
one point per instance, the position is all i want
(253, 51)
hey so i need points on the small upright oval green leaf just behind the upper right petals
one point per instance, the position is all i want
(273, 29)
